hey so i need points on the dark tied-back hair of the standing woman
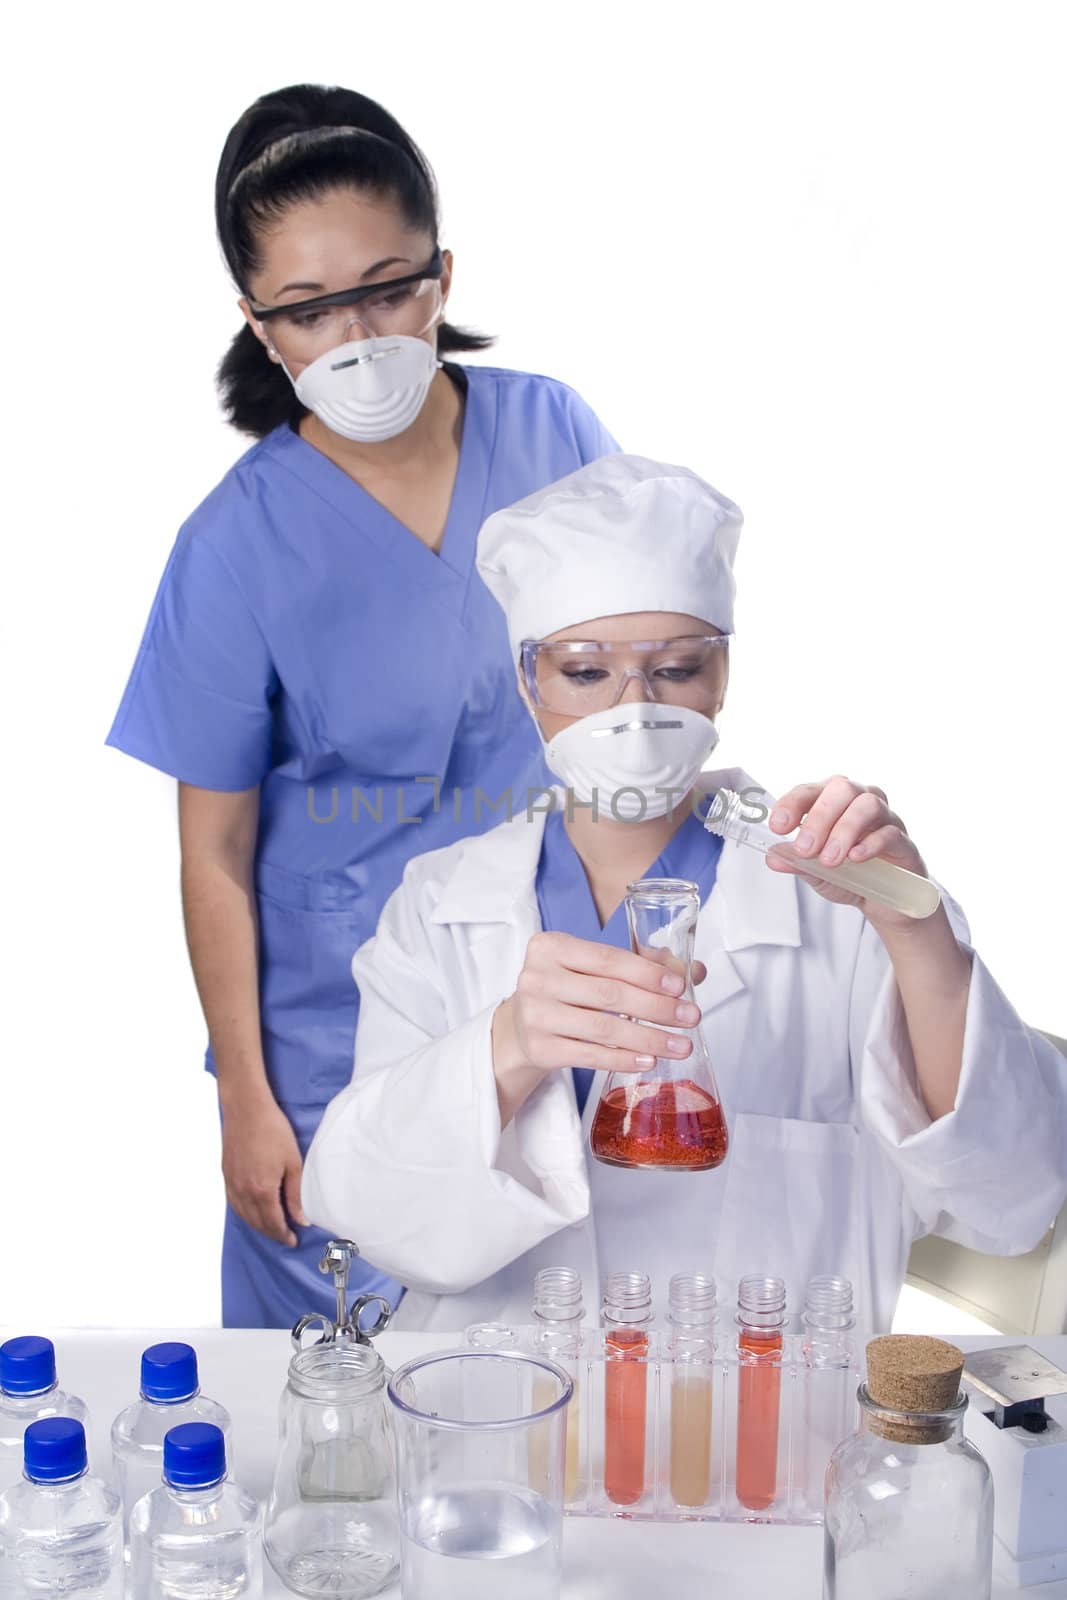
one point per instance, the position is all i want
(334, 138)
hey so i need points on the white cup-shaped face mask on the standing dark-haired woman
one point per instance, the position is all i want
(369, 390)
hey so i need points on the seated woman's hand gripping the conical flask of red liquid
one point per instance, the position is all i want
(572, 1009)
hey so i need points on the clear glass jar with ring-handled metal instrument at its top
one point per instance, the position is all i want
(332, 1519)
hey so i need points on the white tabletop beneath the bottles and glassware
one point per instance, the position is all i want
(602, 1559)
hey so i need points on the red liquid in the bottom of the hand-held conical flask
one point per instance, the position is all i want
(660, 1124)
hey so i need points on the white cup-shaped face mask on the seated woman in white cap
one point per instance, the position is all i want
(653, 750)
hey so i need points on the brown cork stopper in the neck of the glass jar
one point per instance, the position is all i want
(919, 1377)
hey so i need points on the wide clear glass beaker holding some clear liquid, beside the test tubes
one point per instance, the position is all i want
(481, 1478)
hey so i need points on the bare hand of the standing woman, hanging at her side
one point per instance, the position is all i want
(262, 1166)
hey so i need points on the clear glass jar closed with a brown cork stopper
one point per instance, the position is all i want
(909, 1511)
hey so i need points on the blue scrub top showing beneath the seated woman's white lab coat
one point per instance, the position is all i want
(567, 905)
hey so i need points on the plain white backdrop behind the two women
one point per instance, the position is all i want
(815, 252)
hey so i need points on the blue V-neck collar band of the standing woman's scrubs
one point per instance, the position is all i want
(450, 569)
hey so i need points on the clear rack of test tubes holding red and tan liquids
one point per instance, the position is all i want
(729, 1439)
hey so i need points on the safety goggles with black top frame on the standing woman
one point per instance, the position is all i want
(305, 330)
